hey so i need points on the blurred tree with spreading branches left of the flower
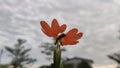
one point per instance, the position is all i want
(19, 54)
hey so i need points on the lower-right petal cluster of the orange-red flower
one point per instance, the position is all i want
(71, 37)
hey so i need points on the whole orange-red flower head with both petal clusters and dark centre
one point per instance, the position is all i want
(56, 31)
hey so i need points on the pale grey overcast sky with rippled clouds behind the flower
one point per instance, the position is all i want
(97, 19)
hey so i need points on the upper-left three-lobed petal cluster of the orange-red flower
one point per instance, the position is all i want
(54, 30)
